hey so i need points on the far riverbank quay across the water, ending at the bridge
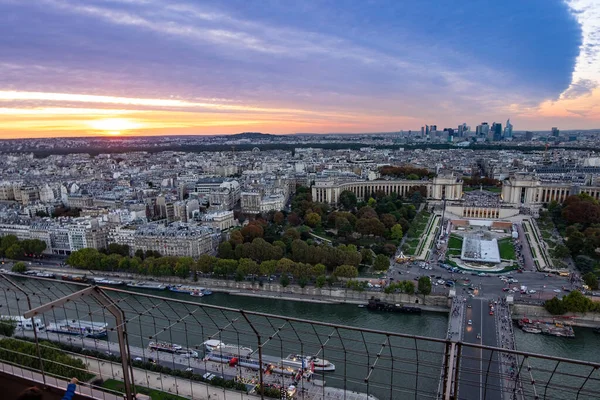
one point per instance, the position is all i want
(277, 291)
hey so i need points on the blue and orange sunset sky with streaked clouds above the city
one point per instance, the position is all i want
(152, 67)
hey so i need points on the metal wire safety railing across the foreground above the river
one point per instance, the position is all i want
(369, 363)
